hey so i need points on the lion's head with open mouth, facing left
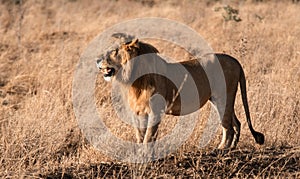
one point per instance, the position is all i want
(116, 59)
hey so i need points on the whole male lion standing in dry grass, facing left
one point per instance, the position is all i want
(150, 95)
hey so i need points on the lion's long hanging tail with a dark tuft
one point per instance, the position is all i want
(259, 137)
